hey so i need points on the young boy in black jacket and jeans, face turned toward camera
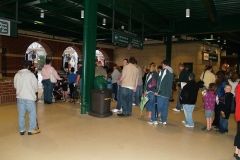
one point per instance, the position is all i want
(225, 102)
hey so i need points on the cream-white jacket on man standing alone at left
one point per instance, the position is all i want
(25, 84)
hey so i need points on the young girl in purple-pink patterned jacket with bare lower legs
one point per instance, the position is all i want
(209, 100)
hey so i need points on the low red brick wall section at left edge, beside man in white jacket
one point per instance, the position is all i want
(7, 93)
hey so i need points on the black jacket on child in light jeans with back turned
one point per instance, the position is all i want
(189, 93)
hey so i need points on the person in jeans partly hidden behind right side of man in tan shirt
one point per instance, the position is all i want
(137, 95)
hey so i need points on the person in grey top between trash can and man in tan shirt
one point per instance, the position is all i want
(115, 76)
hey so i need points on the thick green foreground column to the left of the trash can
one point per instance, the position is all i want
(89, 53)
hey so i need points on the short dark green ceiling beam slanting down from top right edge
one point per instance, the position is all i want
(211, 10)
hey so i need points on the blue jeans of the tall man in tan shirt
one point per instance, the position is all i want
(126, 97)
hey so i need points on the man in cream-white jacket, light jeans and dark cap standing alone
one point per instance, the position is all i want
(26, 86)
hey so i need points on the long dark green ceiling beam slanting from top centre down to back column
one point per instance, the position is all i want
(124, 12)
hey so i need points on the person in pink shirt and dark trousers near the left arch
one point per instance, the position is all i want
(47, 70)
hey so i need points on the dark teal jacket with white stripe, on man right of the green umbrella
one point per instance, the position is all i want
(164, 82)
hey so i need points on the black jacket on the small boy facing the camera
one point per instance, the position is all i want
(225, 102)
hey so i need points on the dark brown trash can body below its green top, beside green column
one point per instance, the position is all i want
(101, 100)
